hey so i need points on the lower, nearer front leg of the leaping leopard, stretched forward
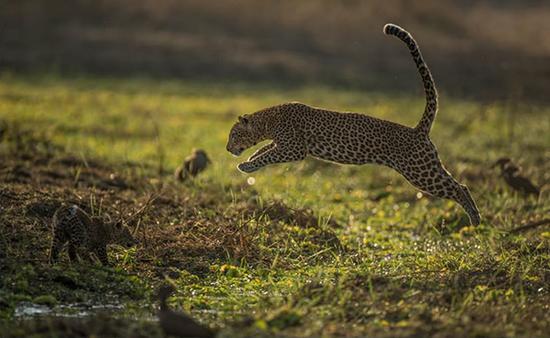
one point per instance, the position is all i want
(279, 153)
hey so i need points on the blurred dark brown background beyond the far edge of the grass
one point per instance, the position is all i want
(486, 50)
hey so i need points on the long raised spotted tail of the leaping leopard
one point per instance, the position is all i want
(425, 123)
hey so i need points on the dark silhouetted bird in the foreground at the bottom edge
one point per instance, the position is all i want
(178, 324)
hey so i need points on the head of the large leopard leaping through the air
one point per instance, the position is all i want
(247, 132)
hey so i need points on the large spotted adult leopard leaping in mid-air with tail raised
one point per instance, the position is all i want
(298, 130)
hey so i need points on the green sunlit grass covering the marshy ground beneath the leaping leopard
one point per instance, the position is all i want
(357, 251)
